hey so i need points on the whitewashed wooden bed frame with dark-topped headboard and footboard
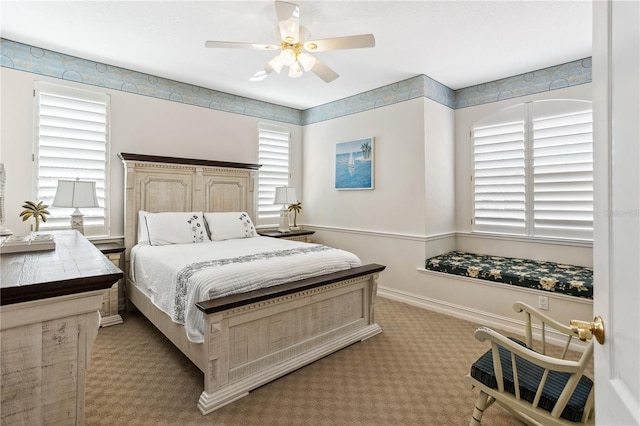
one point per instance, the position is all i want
(251, 338)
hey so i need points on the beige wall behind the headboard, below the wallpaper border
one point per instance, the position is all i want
(140, 125)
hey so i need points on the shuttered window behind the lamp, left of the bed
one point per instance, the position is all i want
(71, 141)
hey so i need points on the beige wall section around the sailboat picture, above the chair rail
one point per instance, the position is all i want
(397, 203)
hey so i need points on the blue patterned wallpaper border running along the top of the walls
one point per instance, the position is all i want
(35, 60)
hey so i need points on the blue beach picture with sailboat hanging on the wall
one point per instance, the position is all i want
(354, 164)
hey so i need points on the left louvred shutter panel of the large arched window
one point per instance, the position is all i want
(499, 177)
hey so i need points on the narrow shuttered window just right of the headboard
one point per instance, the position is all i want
(273, 155)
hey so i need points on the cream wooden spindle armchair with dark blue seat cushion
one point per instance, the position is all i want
(537, 388)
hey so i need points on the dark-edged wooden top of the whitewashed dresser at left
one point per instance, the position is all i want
(75, 266)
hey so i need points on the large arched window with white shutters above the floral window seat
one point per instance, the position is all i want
(533, 170)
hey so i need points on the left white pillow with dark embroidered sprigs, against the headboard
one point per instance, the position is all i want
(175, 228)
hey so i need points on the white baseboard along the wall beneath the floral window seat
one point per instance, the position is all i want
(480, 318)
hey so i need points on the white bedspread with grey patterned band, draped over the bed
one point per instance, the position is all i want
(177, 276)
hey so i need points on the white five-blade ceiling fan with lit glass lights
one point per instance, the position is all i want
(295, 47)
